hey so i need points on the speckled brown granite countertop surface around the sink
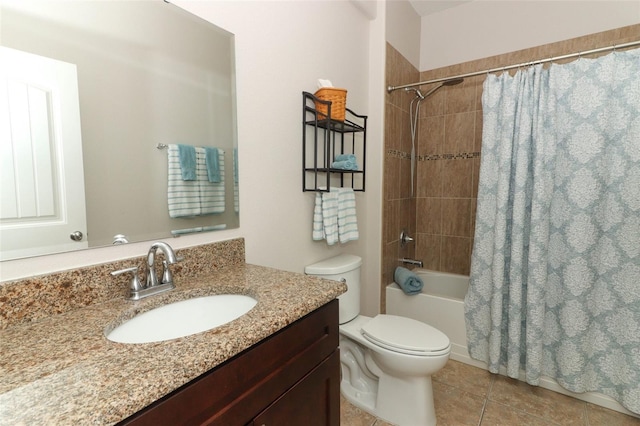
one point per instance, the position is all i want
(61, 369)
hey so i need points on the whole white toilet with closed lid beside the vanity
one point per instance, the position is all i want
(387, 361)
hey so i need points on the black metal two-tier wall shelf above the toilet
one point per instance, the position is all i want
(323, 139)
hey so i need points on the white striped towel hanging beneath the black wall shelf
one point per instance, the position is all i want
(334, 216)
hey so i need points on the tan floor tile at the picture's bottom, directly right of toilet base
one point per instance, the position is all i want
(455, 407)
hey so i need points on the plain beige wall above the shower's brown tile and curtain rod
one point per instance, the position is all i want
(483, 28)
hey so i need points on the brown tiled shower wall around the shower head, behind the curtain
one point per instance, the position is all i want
(440, 215)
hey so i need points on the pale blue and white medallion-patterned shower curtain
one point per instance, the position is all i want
(555, 270)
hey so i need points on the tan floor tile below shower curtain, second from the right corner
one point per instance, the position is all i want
(537, 401)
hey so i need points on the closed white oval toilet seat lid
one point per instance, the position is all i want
(405, 335)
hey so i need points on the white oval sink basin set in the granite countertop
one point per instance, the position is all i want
(182, 318)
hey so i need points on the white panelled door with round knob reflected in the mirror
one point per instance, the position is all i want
(42, 194)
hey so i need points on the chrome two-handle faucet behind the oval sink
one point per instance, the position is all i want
(152, 286)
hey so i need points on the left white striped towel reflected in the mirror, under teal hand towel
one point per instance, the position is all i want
(183, 196)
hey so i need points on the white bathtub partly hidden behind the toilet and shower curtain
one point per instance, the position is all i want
(441, 304)
